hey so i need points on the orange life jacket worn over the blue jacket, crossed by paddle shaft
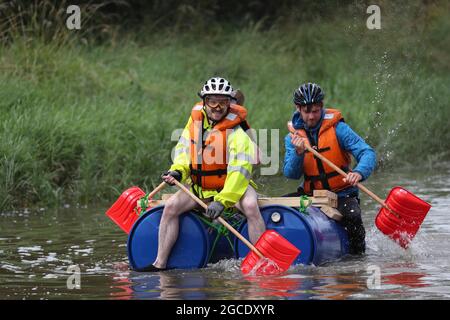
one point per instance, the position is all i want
(318, 174)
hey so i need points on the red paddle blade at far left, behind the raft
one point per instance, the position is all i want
(122, 211)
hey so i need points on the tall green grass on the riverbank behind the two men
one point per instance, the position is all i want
(81, 122)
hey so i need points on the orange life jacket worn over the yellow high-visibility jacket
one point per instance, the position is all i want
(209, 159)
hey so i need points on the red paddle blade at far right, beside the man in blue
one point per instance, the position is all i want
(411, 211)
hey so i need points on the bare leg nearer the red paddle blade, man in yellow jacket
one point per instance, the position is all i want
(248, 205)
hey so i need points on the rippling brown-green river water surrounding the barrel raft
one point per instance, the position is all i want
(37, 249)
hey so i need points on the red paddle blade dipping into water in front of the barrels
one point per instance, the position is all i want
(277, 250)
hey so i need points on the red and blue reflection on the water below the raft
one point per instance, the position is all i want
(210, 284)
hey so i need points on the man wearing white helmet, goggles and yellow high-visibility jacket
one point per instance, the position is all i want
(215, 156)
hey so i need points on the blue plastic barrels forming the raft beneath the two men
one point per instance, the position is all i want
(319, 238)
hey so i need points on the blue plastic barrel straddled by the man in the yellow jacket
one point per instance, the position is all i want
(191, 249)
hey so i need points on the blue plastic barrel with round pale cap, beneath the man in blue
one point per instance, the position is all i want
(319, 238)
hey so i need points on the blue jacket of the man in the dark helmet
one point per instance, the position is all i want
(348, 140)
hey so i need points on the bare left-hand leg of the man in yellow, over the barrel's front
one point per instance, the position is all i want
(178, 204)
